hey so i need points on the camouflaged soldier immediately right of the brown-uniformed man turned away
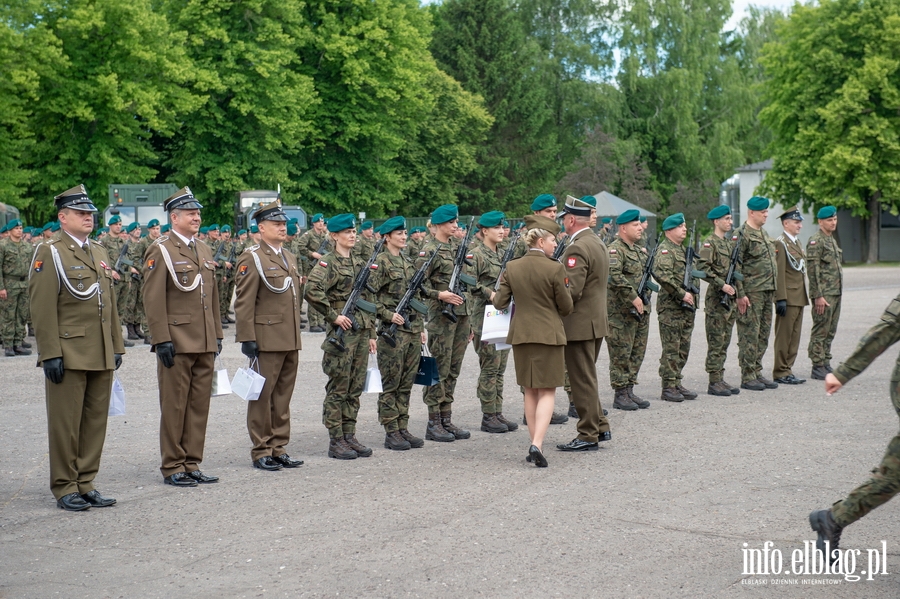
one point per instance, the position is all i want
(626, 312)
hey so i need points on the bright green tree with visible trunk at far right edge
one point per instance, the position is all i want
(834, 106)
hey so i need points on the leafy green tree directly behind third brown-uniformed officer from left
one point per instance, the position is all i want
(256, 114)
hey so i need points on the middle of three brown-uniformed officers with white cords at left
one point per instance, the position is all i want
(182, 303)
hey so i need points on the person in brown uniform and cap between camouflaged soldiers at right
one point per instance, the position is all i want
(790, 297)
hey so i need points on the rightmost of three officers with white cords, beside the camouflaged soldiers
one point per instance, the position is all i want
(267, 308)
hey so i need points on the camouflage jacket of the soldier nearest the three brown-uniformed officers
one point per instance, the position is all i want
(330, 284)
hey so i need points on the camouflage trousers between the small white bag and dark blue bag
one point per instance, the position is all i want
(398, 366)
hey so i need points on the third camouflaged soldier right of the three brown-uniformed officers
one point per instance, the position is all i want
(447, 339)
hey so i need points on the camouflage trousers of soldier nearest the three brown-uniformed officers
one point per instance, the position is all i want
(346, 373)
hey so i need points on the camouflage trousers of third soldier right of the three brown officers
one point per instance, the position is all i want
(447, 343)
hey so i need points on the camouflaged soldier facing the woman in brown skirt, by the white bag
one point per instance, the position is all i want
(487, 261)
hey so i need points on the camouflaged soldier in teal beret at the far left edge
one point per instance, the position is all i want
(15, 261)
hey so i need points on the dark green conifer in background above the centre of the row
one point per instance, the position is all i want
(483, 44)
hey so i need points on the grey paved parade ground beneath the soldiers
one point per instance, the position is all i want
(669, 508)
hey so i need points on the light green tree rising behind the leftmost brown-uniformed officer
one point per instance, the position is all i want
(118, 82)
